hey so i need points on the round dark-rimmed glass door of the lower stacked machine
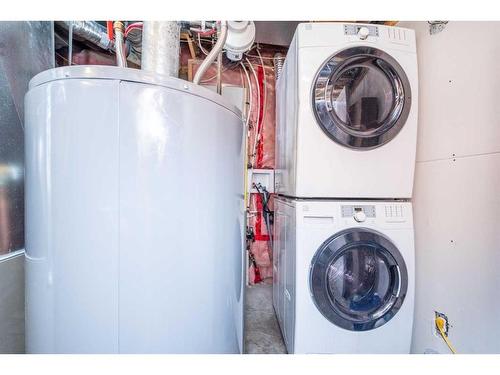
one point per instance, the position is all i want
(358, 279)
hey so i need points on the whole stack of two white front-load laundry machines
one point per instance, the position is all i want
(343, 254)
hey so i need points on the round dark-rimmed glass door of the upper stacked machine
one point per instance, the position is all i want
(361, 97)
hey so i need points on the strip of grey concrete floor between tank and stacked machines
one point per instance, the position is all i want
(262, 332)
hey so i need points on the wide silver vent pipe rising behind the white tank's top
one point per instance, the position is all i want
(160, 47)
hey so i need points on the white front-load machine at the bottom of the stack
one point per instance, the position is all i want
(344, 275)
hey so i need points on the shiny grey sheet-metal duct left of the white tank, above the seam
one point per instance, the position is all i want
(26, 49)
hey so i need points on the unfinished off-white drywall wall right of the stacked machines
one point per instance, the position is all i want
(456, 195)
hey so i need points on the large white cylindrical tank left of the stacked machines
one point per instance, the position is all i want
(134, 214)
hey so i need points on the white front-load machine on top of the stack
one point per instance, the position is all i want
(347, 102)
